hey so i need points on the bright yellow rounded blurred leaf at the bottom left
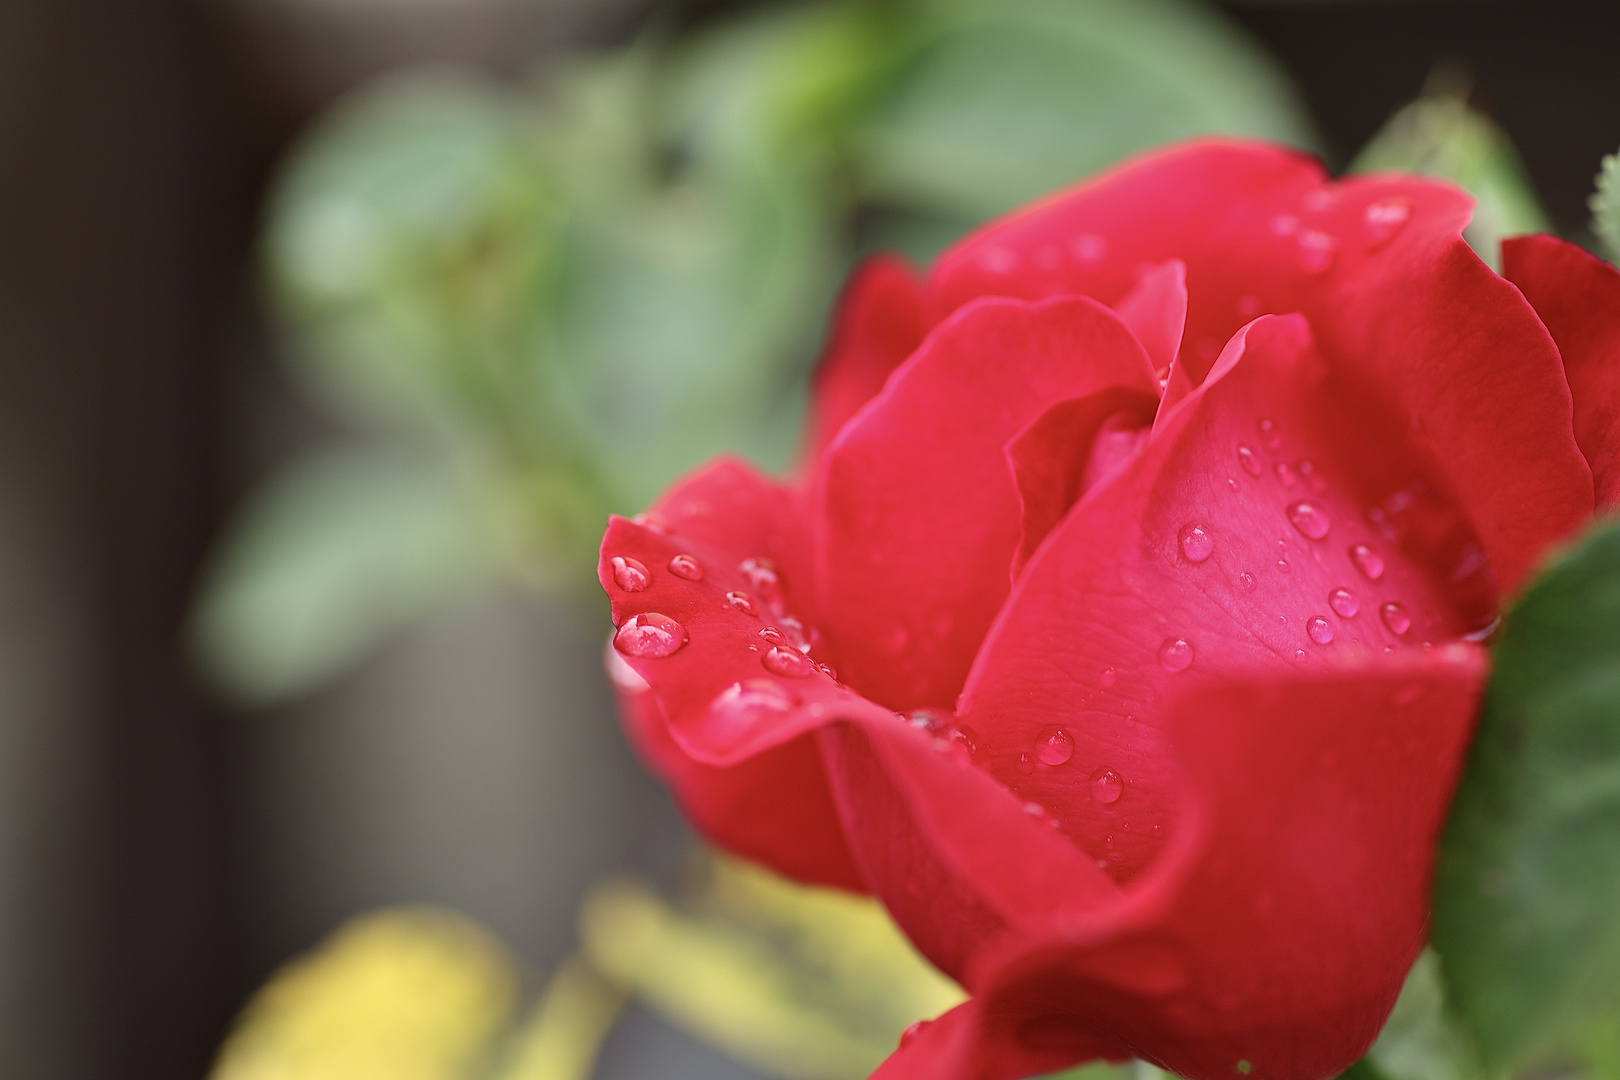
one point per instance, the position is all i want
(399, 995)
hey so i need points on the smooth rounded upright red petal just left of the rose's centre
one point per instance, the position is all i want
(918, 514)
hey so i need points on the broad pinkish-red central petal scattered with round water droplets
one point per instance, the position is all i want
(1188, 569)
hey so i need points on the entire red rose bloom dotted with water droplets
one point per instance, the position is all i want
(1120, 631)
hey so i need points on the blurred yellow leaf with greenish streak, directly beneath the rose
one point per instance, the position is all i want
(801, 982)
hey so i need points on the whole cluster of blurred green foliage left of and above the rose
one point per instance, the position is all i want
(550, 299)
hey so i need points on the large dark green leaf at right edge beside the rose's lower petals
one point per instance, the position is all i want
(1527, 904)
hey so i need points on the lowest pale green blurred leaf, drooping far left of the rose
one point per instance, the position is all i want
(339, 551)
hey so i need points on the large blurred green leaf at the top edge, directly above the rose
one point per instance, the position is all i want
(1002, 103)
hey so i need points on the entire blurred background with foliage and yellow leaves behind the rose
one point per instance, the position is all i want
(331, 331)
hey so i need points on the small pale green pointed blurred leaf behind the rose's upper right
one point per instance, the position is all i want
(1441, 135)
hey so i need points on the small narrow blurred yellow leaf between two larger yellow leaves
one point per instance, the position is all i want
(568, 1027)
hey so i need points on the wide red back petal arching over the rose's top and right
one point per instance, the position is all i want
(1381, 270)
